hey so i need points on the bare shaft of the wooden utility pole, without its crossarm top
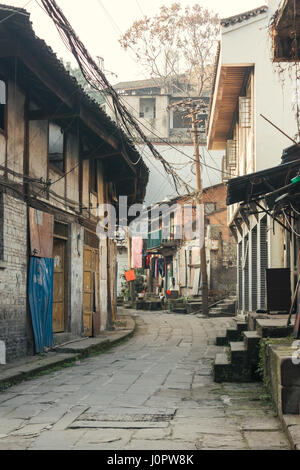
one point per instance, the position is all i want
(203, 263)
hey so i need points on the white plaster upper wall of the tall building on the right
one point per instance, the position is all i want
(250, 43)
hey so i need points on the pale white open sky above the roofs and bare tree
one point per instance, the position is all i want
(99, 24)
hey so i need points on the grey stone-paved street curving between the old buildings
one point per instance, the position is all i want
(153, 392)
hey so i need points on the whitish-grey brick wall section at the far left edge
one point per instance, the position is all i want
(13, 277)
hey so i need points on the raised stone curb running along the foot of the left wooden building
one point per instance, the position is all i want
(64, 356)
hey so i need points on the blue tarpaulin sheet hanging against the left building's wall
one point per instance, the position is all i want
(40, 292)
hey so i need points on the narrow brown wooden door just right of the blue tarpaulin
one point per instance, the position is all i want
(59, 306)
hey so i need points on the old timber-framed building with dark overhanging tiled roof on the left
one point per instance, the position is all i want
(60, 157)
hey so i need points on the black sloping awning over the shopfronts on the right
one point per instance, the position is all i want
(250, 187)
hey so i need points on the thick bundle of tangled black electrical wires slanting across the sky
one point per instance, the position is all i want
(98, 81)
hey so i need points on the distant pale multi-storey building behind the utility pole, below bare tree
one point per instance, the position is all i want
(151, 102)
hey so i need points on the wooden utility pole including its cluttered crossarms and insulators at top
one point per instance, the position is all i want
(193, 109)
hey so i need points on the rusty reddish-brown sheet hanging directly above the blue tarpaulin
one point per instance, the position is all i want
(41, 233)
